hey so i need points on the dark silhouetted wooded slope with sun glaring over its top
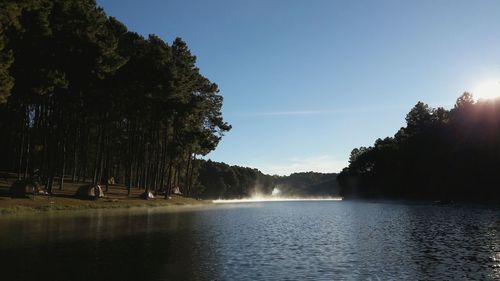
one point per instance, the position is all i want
(440, 155)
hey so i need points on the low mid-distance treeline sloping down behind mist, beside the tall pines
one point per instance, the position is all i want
(220, 181)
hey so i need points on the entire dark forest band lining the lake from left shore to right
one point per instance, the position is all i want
(83, 99)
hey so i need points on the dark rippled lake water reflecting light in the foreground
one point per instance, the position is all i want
(259, 241)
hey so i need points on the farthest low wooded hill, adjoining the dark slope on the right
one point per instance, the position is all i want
(308, 184)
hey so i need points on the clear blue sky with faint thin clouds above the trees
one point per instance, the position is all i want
(304, 82)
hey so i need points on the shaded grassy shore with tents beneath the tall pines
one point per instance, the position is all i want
(116, 197)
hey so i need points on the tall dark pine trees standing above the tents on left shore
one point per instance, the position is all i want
(83, 96)
